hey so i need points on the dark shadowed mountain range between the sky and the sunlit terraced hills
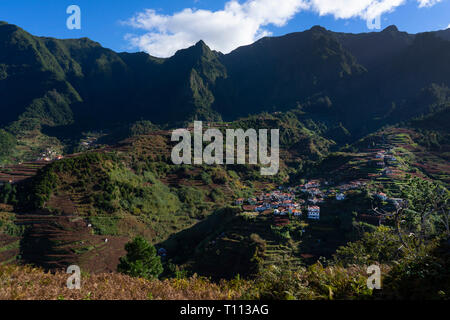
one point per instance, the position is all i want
(356, 79)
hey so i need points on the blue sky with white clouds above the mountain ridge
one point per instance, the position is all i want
(161, 27)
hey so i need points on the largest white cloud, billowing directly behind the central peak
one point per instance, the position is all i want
(224, 30)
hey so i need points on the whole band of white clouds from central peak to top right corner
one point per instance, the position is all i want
(240, 23)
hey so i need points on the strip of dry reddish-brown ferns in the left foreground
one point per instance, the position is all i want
(27, 283)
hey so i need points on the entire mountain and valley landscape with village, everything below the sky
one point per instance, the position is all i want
(364, 167)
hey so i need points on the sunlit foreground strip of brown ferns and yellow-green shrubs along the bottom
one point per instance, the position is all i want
(315, 282)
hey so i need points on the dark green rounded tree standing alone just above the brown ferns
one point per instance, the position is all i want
(141, 260)
